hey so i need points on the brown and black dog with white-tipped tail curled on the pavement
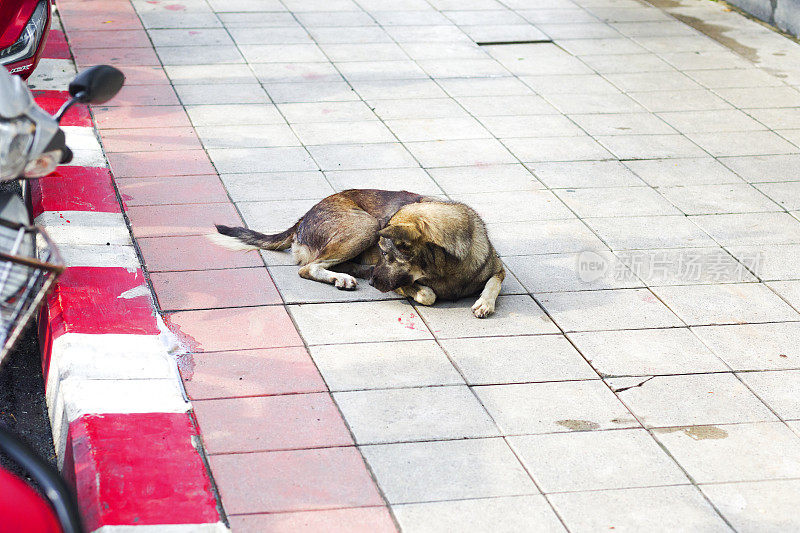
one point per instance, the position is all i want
(418, 246)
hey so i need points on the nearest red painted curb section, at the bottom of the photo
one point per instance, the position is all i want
(138, 469)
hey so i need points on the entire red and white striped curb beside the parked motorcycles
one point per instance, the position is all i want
(122, 426)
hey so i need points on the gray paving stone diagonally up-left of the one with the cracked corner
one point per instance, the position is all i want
(520, 359)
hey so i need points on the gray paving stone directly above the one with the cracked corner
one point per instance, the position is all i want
(646, 352)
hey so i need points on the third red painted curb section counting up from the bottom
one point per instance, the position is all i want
(74, 189)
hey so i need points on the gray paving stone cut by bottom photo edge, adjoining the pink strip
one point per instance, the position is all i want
(486, 515)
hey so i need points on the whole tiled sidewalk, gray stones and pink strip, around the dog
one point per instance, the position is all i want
(639, 178)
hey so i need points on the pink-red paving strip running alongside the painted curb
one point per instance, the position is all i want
(280, 454)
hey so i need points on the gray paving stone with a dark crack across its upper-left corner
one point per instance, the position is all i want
(690, 400)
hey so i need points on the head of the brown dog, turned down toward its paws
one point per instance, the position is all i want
(398, 266)
